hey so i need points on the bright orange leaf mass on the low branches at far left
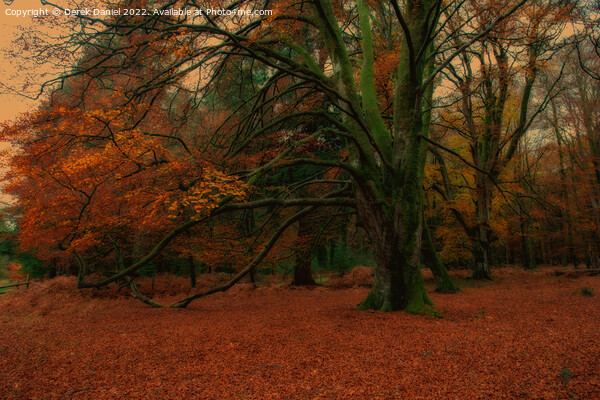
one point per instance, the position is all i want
(85, 179)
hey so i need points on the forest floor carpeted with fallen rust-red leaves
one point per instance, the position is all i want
(527, 335)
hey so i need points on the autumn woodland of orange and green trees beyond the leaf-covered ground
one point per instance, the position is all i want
(168, 145)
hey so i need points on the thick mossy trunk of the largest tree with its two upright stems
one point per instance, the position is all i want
(390, 198)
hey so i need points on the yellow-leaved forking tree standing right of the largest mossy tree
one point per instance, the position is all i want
(489, 115)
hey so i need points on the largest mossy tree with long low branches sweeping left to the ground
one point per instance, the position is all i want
(382, 128)
